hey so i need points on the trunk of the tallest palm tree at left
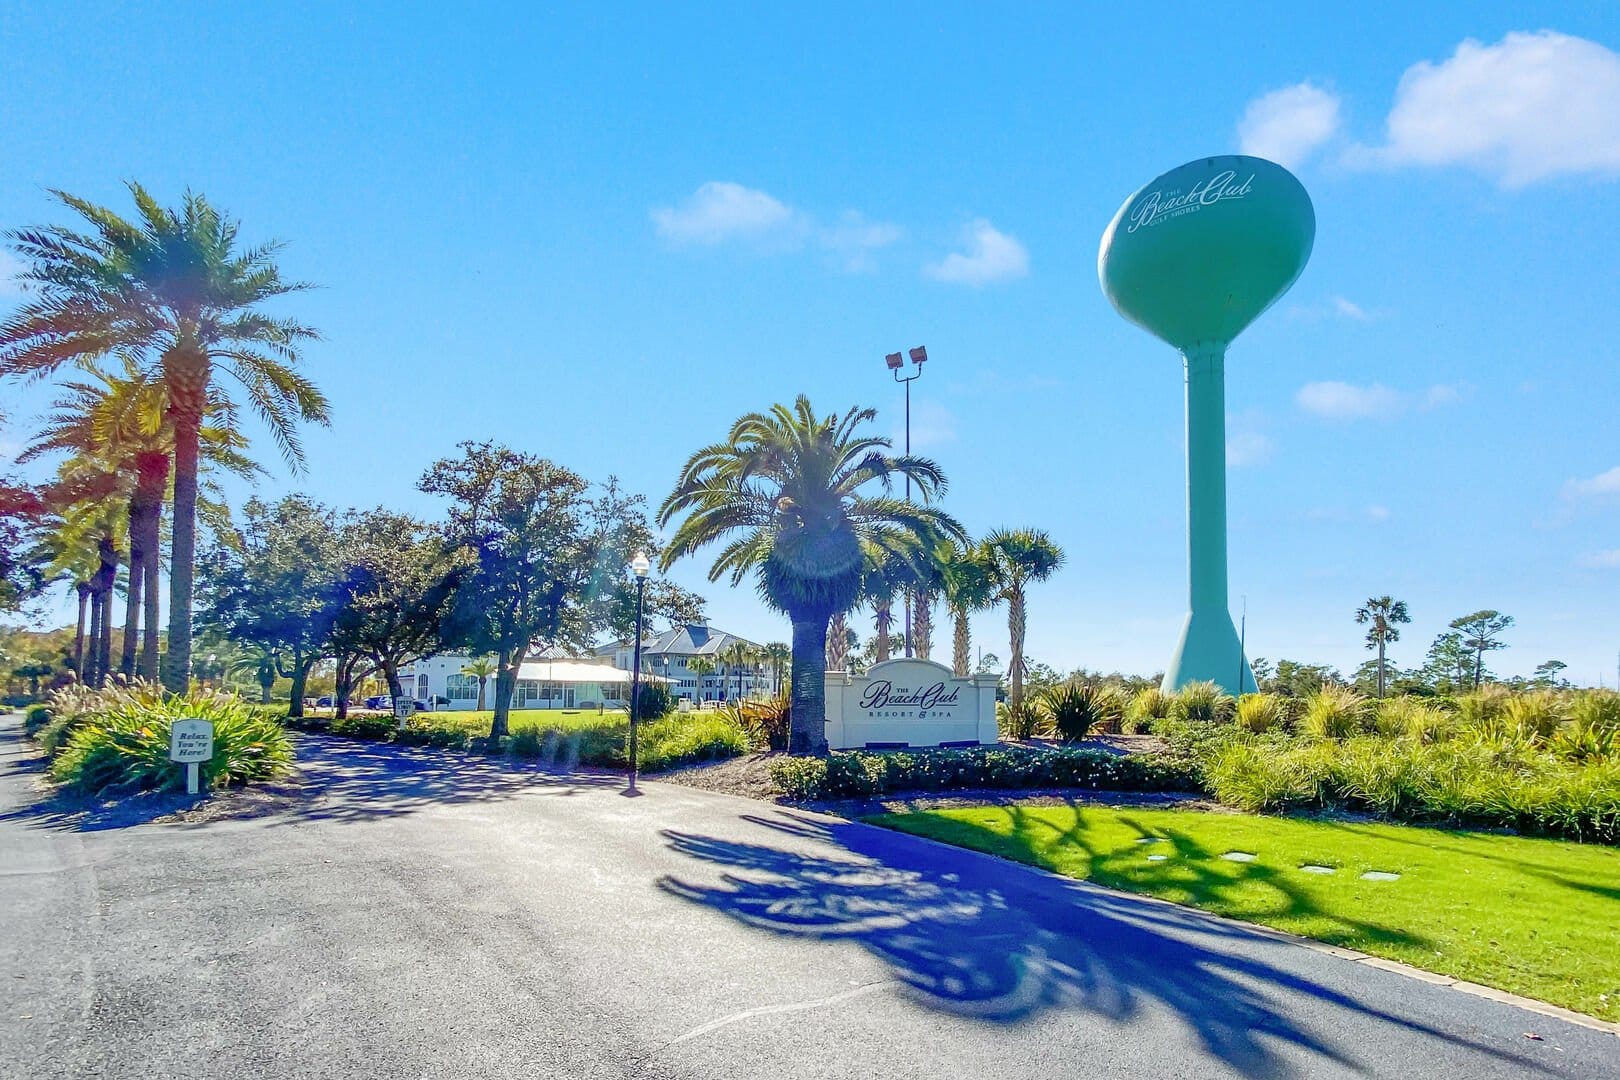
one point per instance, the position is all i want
(187, 378)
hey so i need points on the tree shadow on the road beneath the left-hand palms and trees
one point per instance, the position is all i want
(338, 780)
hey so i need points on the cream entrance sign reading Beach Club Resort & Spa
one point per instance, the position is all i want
(910, 704)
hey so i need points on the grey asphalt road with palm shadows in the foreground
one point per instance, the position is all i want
(433, 916)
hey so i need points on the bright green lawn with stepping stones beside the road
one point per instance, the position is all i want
(1525, 916)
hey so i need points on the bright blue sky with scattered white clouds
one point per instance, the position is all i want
(602, 234)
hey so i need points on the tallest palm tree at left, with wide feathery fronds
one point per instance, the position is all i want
(174, 286)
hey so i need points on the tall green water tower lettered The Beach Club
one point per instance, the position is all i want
(1195, 258)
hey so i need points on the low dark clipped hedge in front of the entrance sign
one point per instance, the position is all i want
(861, 773)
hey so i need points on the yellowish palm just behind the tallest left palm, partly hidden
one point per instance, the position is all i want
(122, 422)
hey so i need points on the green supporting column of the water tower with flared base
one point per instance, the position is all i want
(1209, 647)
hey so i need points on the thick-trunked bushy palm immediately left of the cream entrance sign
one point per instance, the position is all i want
(787, 490)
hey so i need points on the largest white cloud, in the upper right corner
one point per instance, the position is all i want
(1530, 108)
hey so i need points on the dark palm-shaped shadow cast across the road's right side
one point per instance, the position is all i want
(979, 940)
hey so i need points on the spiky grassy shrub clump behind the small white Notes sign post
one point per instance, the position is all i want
(122, 742)
